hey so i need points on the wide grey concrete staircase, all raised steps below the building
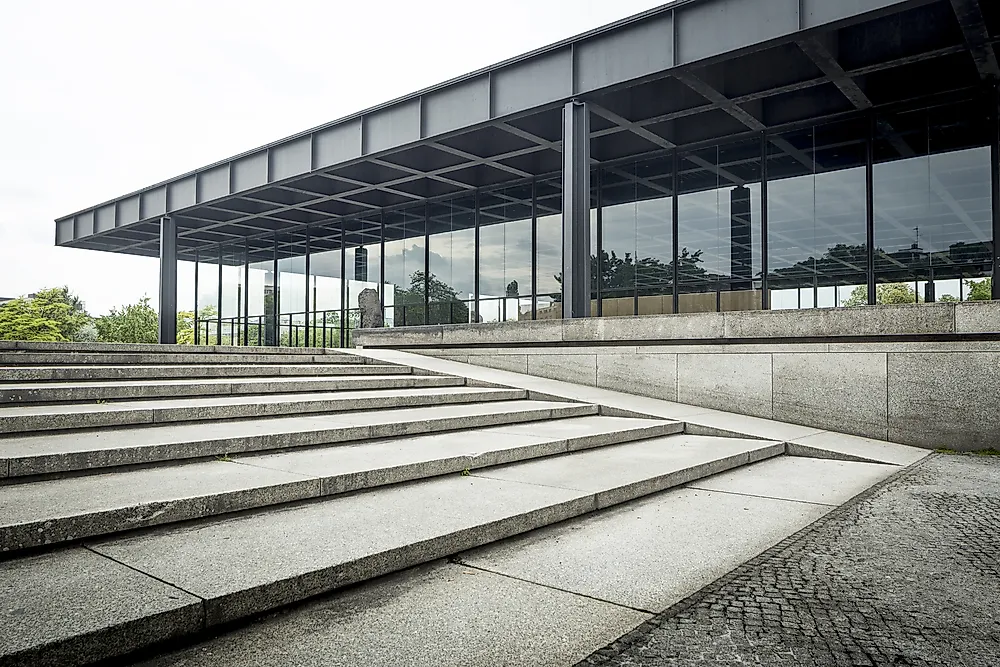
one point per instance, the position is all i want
(153, 494)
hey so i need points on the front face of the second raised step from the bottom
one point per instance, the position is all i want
(48, 532)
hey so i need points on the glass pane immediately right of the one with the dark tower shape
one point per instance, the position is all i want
(817, 237)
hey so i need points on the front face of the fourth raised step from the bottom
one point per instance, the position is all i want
(138, 416)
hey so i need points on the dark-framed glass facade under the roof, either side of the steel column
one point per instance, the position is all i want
(879, 207)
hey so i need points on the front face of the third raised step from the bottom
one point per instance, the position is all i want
(61, 463)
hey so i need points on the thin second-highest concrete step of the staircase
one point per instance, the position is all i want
(159, 358)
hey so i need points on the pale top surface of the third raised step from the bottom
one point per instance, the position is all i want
(166, 434)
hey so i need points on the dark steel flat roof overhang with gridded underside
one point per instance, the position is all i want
(684, 74)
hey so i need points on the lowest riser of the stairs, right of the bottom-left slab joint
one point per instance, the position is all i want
(239, 605)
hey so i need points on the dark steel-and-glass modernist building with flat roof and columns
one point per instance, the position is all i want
(706, 155)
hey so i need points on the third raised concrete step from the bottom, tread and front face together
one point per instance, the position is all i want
(50, 453)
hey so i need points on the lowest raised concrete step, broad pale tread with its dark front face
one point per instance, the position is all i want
(171, 582)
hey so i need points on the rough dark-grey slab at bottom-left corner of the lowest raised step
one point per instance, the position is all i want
(74, 607)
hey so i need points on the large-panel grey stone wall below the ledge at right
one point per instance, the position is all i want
(912, 393)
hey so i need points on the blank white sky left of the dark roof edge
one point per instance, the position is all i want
(100, 98)
